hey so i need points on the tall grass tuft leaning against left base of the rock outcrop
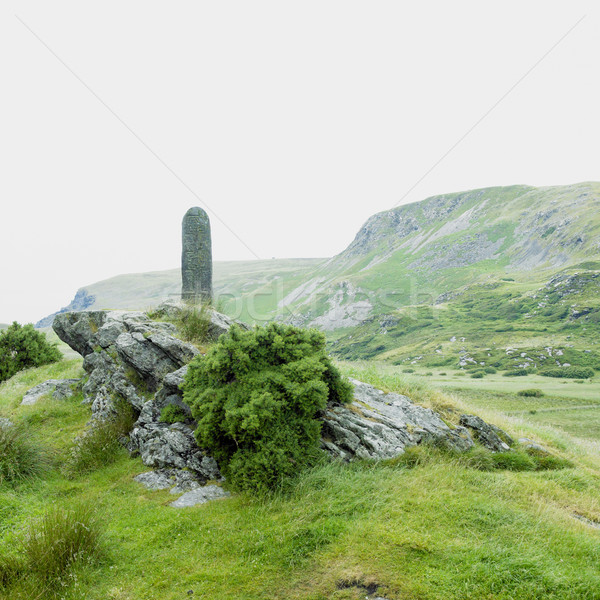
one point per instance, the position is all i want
(101, 443)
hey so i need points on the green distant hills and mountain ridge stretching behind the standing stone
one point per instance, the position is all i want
(477, 261)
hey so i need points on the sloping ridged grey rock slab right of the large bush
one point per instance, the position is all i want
(380, 426)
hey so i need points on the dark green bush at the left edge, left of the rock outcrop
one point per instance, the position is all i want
(21, 347)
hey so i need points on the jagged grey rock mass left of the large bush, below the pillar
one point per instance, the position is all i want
(128, 357)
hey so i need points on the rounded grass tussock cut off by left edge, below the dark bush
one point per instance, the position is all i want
(21, 457)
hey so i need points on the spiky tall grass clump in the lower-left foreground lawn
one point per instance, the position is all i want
(59, 539)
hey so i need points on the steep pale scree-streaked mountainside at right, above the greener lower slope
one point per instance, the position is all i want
(413, 254)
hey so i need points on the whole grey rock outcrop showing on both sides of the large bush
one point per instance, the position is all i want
(130, 358)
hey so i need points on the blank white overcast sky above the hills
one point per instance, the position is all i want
(291, 121)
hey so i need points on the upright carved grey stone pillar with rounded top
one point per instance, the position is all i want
(196, 257)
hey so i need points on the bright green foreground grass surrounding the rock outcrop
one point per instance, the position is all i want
(436, 527)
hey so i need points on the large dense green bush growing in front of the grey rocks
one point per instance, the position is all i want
(256, 395)
